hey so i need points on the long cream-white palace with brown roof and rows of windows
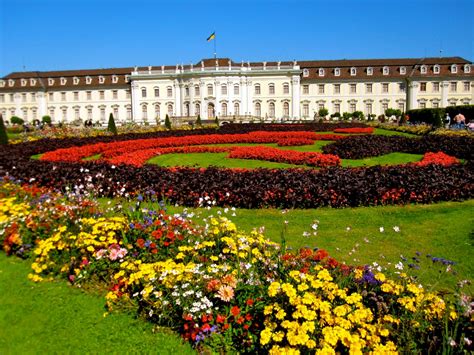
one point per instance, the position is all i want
(238, 91)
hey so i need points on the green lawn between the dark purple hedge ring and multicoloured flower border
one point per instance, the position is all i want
(353, 234)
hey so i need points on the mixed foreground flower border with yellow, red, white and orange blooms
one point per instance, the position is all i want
(226, 289)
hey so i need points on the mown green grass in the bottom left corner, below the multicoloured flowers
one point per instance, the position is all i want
(53, 317)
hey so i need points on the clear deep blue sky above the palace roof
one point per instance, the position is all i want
(74, 34)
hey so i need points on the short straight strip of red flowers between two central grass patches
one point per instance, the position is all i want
(285, 156)
